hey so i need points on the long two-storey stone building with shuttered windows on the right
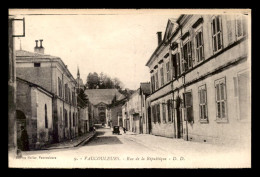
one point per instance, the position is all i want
(208, 96)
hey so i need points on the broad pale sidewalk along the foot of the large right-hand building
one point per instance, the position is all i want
(181, 146)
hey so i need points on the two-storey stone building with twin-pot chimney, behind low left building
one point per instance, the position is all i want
(52, 74)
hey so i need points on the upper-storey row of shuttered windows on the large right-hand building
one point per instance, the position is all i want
(184, 60)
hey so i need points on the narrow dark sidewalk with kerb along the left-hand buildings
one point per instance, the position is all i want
(71, 143)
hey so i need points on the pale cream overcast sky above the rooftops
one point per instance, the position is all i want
(118, 44)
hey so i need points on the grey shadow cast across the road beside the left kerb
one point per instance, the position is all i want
(104, 140)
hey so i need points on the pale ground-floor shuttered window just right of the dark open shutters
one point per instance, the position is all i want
(203, 103)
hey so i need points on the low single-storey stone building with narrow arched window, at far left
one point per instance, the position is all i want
(34, 113)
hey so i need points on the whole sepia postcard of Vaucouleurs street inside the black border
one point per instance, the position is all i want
(129, 88)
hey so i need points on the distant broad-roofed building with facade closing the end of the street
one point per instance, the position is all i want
(101, 99)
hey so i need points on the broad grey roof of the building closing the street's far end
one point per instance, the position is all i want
(103, 95)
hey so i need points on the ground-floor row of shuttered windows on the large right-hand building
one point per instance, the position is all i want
(221, 104)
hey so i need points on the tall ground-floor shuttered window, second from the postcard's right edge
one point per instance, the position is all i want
(221, 107)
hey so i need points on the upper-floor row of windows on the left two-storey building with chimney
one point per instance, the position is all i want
(69, 96)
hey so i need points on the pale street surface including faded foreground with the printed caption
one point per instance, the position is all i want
(107, 150)
